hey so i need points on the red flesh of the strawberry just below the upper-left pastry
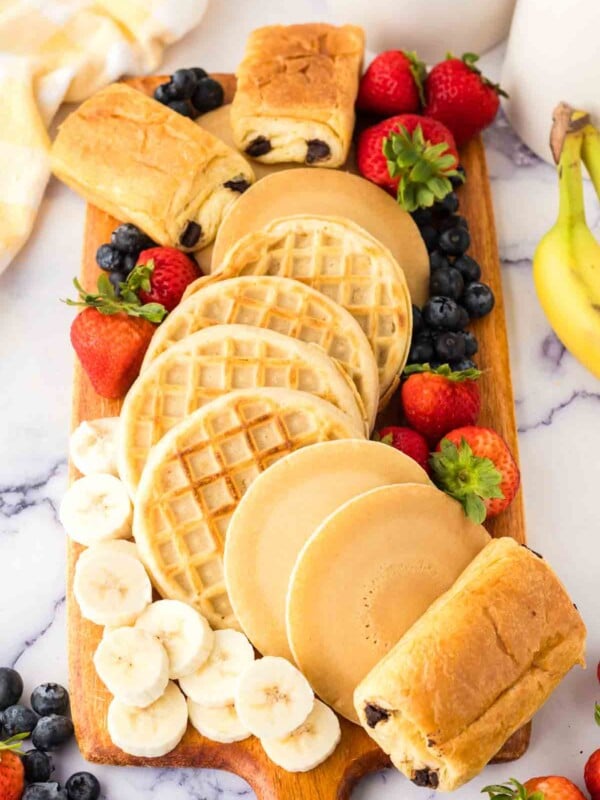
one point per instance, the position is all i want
(172, 273)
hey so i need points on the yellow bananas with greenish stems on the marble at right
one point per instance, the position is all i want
(566, 264)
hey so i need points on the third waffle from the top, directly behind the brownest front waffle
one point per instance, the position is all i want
(212, 362)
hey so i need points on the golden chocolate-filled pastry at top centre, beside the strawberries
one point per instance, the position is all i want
(295, 94)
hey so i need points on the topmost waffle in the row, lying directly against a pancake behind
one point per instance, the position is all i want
(345, 263)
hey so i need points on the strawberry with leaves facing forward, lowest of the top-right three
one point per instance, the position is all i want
(411, 157)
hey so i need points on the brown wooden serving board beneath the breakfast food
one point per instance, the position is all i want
(357, 755)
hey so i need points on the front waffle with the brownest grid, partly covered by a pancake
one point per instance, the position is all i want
(196, 475)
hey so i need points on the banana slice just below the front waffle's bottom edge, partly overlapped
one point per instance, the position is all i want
(184, 633)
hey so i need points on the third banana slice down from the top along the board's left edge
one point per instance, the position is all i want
(111, 588)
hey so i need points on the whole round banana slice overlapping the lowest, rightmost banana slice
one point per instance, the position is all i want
(273, 698)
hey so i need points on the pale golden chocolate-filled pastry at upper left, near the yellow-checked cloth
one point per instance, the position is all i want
(143, 163)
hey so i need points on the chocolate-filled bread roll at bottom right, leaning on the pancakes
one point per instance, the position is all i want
(473, 669)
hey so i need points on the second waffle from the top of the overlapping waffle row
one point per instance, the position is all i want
(283, 306)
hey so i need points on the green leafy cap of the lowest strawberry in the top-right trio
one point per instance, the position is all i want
(423, 169)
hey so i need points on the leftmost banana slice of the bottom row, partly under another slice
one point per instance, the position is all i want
(149, 732)
